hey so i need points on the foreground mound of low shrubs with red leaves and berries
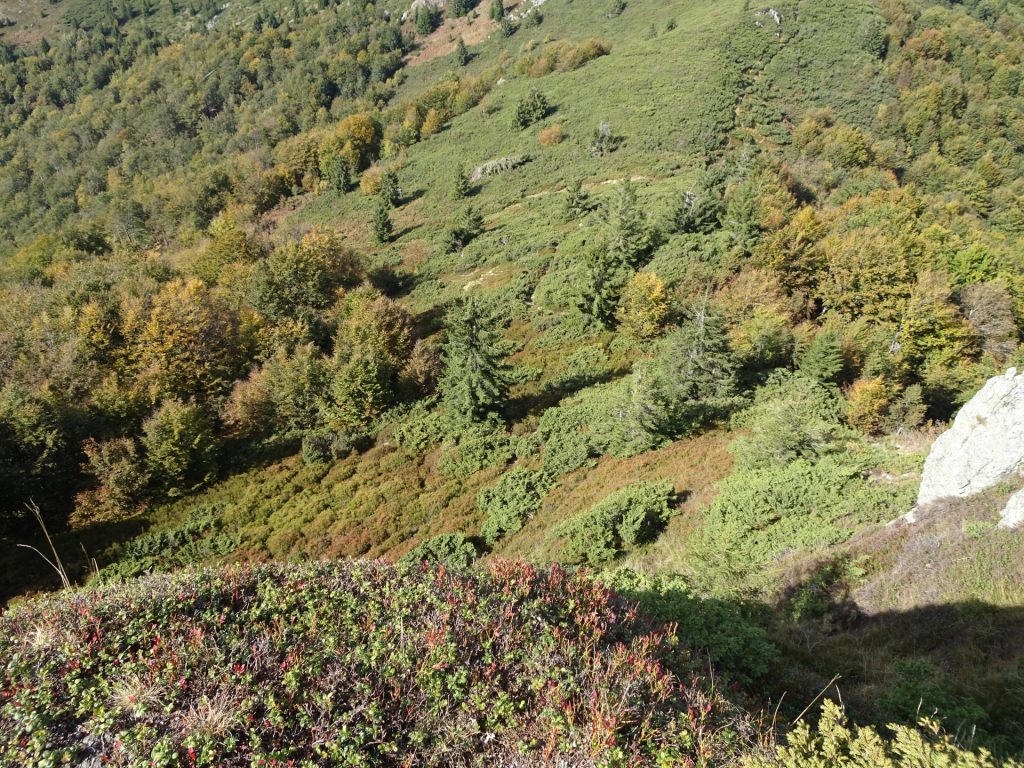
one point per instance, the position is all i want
(349, 664)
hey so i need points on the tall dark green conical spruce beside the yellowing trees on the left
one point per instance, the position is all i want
(475, 382)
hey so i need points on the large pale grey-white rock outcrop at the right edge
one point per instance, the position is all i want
(985, 446)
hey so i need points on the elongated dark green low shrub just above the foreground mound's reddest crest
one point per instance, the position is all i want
(624, 521)
